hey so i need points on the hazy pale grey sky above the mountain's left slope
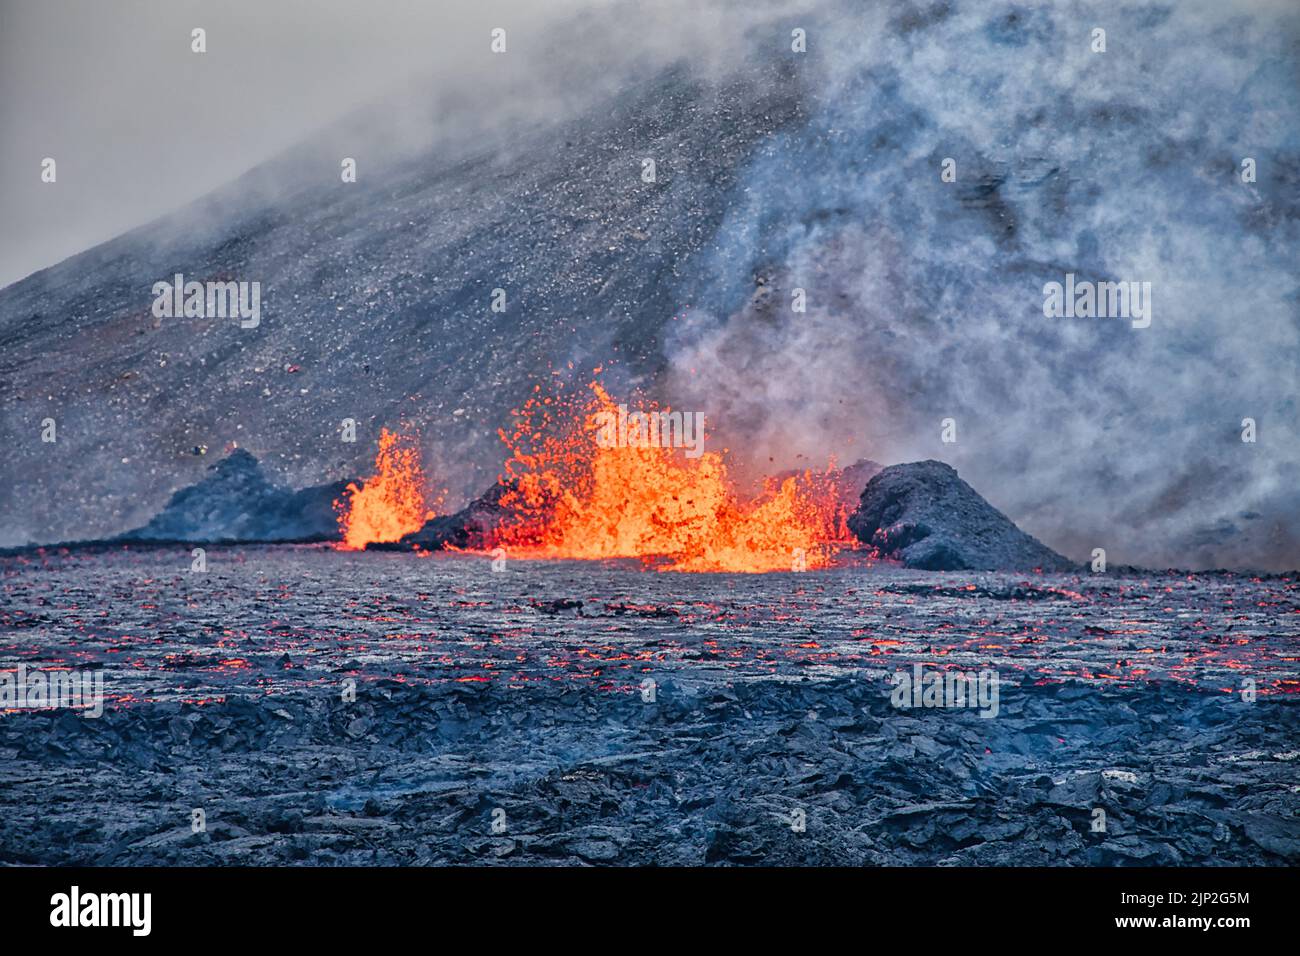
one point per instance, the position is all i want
(140, 126)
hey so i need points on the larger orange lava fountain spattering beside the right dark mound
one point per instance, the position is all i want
(578, 499)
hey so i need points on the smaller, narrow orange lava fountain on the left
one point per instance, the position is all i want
(389, 504)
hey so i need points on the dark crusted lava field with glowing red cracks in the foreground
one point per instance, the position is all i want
(508, 719)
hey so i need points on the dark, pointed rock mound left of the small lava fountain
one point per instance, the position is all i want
(237, 503)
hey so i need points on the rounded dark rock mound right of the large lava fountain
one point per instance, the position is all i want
(926, 517)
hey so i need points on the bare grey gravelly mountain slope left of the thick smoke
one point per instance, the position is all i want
(375, 305)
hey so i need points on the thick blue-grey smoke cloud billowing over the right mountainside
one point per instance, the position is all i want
(925, 299)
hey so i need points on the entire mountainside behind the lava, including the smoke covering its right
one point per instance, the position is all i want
(916, 180)
